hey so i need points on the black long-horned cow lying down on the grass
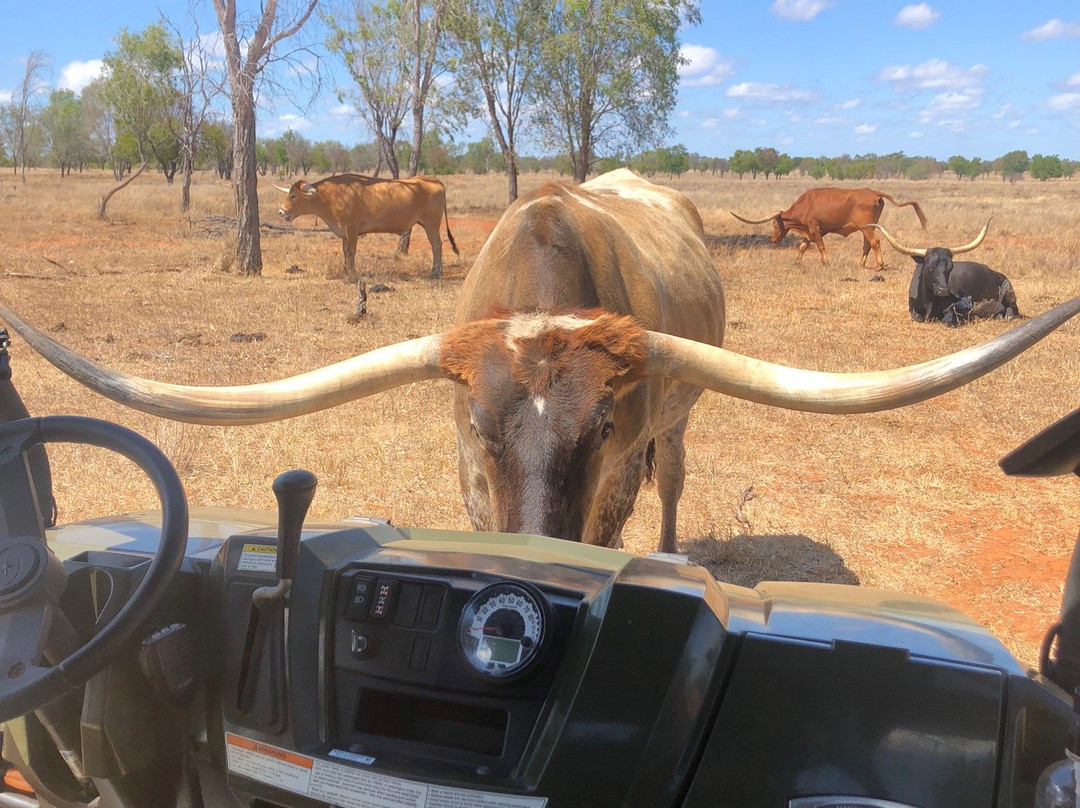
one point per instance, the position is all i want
(955, 292)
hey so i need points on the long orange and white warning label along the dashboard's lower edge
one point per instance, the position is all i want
(353, 788)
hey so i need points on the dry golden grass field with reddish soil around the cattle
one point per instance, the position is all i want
(911, 500)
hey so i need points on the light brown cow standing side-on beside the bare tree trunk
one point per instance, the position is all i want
(353, 205)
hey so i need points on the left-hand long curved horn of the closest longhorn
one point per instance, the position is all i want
(368, 374)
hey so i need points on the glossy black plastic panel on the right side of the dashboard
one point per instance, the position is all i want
(803, 720)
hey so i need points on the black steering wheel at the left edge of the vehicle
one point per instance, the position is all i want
(33, 578)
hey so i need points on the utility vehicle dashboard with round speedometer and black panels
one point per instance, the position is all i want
(435, 668)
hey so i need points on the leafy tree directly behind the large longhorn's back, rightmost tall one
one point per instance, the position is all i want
(609, 76)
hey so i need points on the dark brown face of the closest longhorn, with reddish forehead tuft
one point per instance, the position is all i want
(545, 415)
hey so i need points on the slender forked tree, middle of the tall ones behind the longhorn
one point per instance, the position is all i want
(498, 51)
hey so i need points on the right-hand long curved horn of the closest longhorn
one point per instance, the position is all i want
(812, 392)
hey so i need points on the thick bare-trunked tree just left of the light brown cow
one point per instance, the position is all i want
(250, 49)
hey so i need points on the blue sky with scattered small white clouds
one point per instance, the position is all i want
(806, 77)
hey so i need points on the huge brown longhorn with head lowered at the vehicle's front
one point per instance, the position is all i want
(587, 330)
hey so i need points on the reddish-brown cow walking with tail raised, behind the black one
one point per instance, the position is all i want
(842, 211)
